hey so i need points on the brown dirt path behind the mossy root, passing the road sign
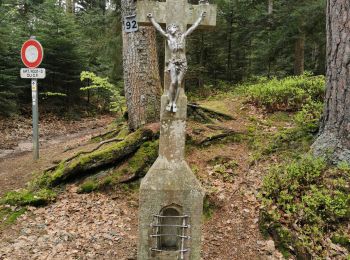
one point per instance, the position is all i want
(17, 166)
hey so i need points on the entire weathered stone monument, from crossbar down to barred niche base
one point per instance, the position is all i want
(170, 187)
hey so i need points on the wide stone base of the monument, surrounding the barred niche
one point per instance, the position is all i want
(170, 183)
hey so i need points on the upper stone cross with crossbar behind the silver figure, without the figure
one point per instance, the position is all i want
(178, 12)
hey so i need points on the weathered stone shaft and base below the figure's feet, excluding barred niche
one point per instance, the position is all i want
(170, 181)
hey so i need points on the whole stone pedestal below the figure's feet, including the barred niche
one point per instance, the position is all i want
(171, 198)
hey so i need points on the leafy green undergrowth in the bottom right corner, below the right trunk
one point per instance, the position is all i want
(306, 203)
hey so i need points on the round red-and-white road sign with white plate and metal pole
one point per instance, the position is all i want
(32, 55)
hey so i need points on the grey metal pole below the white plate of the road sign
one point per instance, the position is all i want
(35, 118)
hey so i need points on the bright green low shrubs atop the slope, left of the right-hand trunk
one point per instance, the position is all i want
(288, 94)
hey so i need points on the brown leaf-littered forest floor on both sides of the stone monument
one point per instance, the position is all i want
(103, 225)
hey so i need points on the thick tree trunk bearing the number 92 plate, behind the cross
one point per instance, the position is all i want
(141, 74)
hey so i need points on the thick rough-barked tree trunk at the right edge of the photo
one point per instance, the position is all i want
(334, 138)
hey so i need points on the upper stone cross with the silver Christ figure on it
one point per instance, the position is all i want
(176, 16)
